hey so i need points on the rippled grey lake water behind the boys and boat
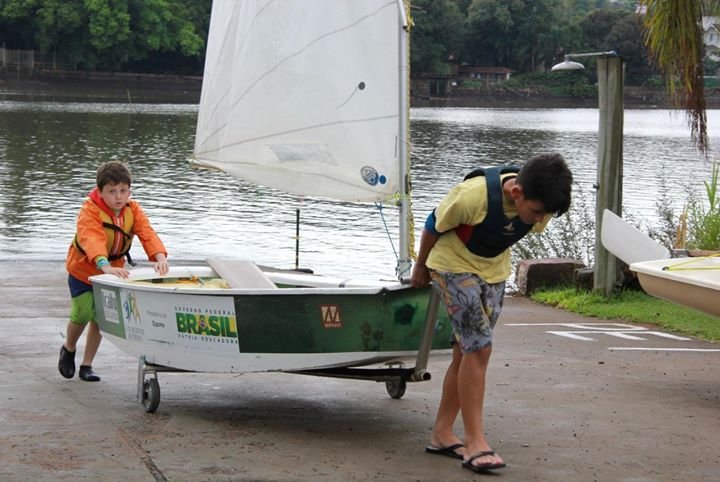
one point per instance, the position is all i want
(49, 153)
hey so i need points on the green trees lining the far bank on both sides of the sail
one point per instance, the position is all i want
(524, 35)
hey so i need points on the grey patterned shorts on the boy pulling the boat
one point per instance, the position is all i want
(473, 306)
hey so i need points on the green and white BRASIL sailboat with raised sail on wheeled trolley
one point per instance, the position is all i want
(310, 98)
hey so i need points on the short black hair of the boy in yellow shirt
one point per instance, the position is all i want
(547, 178)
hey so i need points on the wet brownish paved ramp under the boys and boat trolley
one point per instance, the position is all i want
(567, 400)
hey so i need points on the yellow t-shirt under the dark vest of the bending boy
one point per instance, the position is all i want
(467, 203)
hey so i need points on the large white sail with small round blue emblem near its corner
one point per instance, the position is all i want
(303, 96)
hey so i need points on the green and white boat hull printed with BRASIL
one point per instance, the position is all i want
(288, 329)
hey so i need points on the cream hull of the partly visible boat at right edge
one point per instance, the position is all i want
(696, 285)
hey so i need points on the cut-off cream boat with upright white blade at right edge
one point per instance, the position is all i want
(693, 282)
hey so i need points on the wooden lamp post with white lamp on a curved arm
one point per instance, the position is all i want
(606, 273)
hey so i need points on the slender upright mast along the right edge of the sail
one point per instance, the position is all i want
(404, 262)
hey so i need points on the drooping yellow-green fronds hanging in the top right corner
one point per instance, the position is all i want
(674, 36)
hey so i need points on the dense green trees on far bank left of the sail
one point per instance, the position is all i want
(105, 34)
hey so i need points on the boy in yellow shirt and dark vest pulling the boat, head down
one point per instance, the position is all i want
(464, 248)
